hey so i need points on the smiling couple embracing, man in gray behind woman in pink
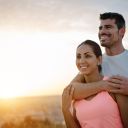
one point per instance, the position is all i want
(100, 101)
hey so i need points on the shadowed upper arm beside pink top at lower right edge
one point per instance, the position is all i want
(122, 102)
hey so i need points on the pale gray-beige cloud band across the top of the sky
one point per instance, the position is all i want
(55, 15)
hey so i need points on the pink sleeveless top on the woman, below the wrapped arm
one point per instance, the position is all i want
(99, 112)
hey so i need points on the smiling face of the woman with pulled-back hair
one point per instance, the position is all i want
(86, 60)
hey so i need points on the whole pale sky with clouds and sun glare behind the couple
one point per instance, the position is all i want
(38, 40)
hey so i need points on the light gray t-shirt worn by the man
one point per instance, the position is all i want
(115, 65)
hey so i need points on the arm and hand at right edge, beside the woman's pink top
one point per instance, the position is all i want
(121, 89)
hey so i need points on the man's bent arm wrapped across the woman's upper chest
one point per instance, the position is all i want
(84, 90)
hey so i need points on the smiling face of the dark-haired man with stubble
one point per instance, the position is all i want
(108, 33)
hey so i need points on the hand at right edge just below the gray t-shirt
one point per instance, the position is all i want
(120, 84)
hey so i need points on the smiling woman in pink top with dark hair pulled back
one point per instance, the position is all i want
(97, 111)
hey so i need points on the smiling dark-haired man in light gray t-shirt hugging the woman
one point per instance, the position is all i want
(115, 63)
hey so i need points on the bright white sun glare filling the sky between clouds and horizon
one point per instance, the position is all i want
(26, 61)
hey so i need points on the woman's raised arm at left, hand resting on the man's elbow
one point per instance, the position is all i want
(66, 104)
